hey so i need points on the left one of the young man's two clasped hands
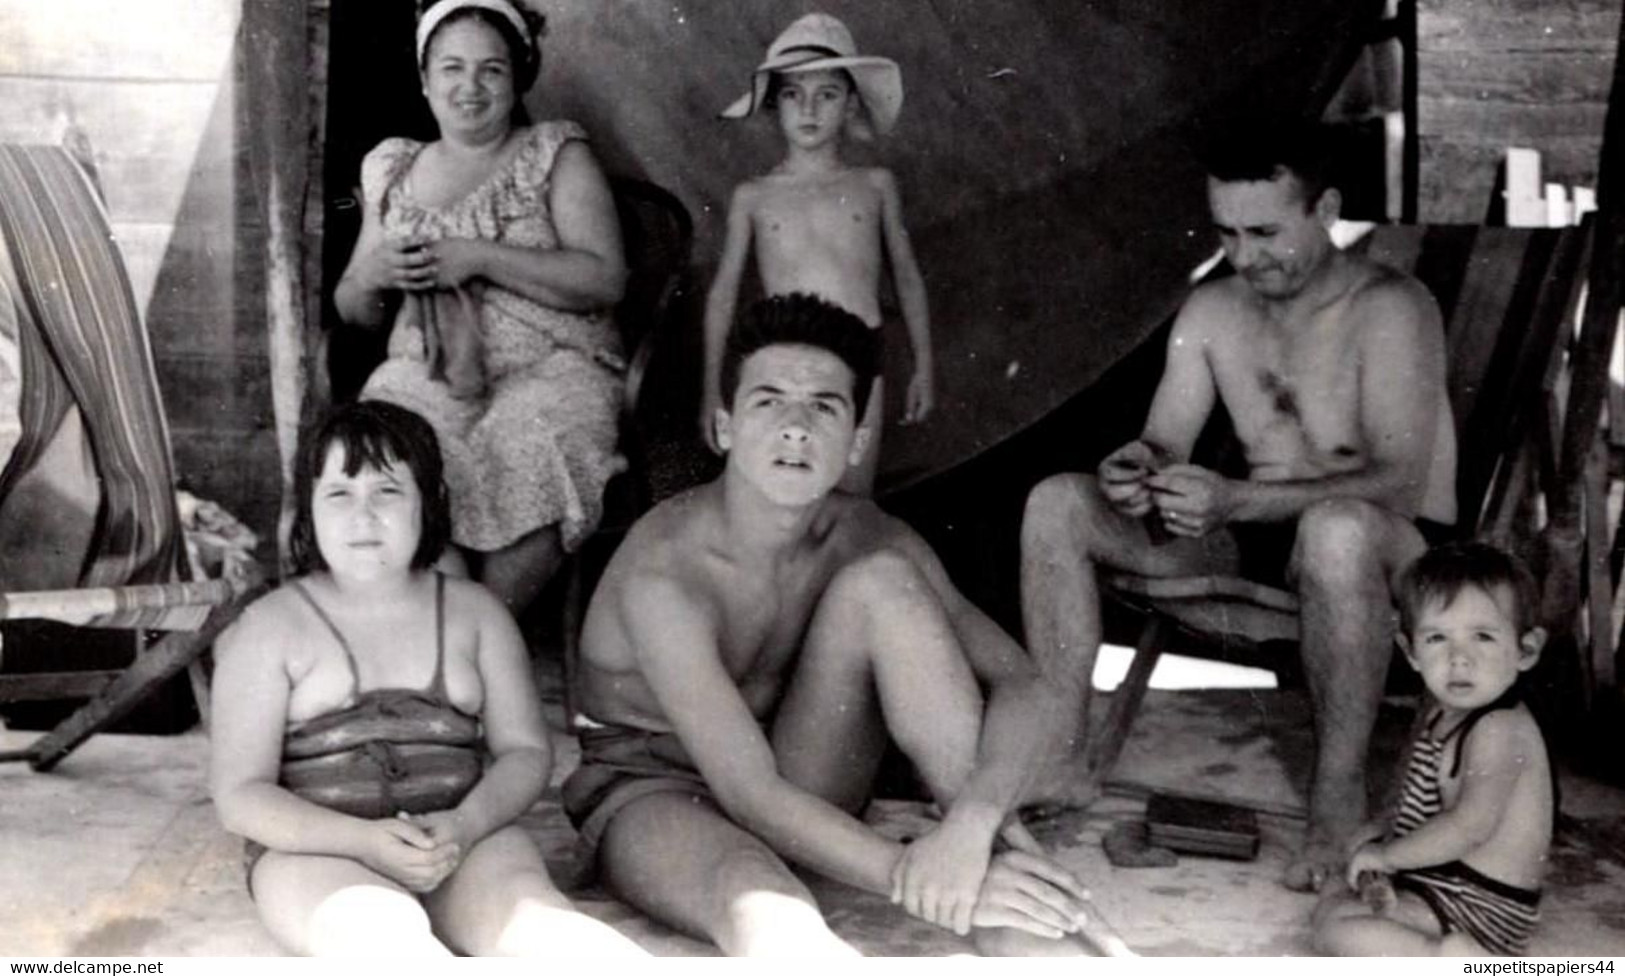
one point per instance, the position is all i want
(940, 876)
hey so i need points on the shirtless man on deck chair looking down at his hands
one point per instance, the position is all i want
(1333, 373)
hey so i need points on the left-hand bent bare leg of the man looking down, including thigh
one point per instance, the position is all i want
(1067, 533)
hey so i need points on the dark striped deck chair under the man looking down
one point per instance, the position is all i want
(1506, 296)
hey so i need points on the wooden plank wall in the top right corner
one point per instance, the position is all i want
(1499, 74)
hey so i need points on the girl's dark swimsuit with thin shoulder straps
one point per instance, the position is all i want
(392, 751)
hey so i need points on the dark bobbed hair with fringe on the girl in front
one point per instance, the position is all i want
(375, 434)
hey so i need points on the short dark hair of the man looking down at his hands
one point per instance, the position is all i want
(1255, 150)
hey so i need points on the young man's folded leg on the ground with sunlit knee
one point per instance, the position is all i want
(678, 860)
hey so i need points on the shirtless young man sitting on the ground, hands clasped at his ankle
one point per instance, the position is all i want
(752, 647)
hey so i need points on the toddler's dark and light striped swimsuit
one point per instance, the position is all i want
(1494, 913)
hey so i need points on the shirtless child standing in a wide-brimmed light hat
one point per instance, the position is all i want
(818, 225)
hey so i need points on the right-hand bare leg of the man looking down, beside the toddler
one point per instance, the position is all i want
(1348, 558)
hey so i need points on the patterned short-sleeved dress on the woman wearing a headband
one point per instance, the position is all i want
(539, 447)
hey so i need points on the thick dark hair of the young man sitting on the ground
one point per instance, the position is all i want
(804, 321)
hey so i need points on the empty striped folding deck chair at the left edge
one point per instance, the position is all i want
(82, 343)
